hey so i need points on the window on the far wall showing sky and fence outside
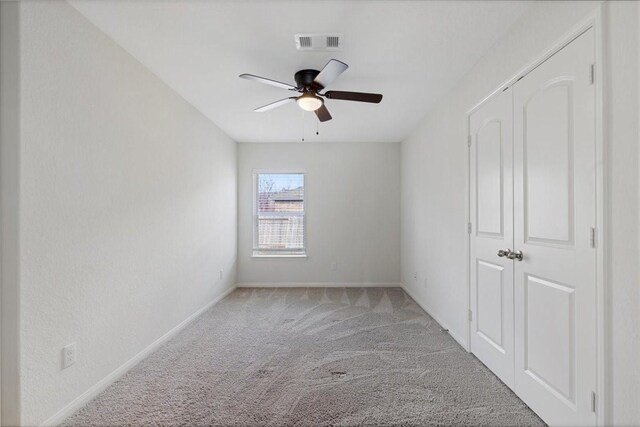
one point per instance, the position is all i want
(279, 215)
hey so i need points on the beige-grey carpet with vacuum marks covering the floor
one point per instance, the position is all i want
(309, 357)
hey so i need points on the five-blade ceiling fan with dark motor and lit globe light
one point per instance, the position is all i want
(309, 84)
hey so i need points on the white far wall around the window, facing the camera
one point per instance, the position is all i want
(352, 212)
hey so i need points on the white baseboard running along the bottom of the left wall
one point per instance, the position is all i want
(101, 385)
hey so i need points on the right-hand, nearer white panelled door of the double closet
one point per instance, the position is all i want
(554, 212)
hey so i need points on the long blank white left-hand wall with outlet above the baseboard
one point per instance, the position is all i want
(127, 207)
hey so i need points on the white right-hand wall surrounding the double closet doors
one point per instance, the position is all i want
(433, 183)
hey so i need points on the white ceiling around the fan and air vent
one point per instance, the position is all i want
(412, 52)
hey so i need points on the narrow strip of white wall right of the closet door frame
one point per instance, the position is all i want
(622, 105)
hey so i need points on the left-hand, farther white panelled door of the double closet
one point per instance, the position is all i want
(491, 207)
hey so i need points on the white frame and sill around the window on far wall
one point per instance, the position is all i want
(273, 253)
